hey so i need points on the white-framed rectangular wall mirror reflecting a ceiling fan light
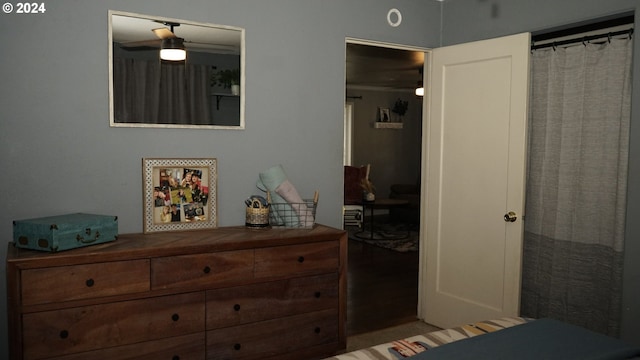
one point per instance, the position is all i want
(205, 90)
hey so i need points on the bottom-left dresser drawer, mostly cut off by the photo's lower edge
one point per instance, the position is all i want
(187, 347)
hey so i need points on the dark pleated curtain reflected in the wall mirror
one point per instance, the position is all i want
(155, 93)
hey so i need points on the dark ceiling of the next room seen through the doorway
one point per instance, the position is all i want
(381, 67)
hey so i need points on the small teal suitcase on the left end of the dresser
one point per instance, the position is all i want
(64, 232)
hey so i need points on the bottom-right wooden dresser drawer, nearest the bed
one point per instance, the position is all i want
(272, 337)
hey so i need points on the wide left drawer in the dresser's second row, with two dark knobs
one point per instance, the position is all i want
(68, 331)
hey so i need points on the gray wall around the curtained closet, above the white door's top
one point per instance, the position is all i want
(468, 20)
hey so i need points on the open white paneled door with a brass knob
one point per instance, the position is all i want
(474, 172)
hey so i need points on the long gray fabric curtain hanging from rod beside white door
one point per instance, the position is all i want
(576, 193)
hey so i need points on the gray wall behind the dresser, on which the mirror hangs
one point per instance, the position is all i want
(60, 156)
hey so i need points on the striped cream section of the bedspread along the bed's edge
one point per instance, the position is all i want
(408, 347)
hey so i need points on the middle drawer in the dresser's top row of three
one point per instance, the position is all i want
(201, 269)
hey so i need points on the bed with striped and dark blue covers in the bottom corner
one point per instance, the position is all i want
(506, 338)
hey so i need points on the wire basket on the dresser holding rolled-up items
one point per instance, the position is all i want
(294, 215)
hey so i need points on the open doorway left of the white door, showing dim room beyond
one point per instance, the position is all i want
(381, 281)
